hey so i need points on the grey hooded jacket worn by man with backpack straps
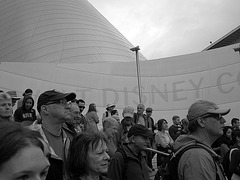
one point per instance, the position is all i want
(197, 163)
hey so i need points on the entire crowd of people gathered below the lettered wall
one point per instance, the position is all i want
(58, 142)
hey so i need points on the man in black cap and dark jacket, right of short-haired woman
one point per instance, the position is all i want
(129, 162)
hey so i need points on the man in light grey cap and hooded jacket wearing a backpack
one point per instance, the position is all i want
(206, 124)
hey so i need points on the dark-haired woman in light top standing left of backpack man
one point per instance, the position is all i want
(164, 141)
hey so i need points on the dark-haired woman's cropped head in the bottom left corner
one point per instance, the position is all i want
(21, 153)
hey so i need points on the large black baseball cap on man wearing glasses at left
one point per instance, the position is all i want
(53, 95)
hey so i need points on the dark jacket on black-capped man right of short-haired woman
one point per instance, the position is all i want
(129, 168)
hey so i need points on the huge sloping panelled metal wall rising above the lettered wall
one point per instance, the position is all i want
(66, 31)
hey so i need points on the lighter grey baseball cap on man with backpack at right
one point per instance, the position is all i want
(203, 107)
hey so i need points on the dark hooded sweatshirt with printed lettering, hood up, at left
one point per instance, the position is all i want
(23, 114)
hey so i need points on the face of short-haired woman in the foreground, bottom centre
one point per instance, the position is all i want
(98, 159)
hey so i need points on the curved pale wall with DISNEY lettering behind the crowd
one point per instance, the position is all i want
(169, 85)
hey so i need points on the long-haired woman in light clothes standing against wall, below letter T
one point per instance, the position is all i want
(92, 118)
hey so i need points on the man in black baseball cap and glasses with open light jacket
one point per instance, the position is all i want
(53, 107)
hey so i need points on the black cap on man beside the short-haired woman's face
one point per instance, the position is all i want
(139, 130)
